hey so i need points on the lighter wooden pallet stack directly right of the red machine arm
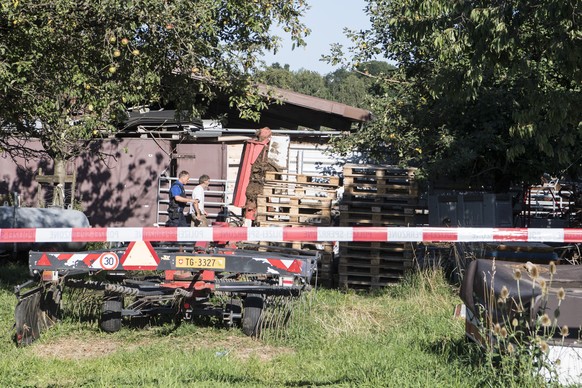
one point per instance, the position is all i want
(300, 200)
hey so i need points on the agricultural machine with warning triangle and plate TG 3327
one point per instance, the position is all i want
(247, 288)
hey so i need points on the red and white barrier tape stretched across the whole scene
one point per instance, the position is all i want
(315, 233)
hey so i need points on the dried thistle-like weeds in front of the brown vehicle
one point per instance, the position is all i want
(516, 335)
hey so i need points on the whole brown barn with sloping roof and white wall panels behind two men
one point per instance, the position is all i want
(121, 181)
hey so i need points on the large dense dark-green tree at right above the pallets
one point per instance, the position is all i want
(486, 90)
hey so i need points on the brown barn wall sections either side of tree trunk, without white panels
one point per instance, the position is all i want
(117, 179)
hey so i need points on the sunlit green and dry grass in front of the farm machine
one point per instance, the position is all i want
(404, 336)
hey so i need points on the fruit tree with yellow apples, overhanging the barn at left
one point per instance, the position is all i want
(70, 69)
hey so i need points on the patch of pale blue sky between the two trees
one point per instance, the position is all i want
(327, 20)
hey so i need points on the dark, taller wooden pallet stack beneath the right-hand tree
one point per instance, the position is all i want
(376, 196)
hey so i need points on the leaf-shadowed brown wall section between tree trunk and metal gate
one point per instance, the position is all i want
(121, 188)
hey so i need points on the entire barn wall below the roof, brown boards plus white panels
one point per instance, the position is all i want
(120, 188)
